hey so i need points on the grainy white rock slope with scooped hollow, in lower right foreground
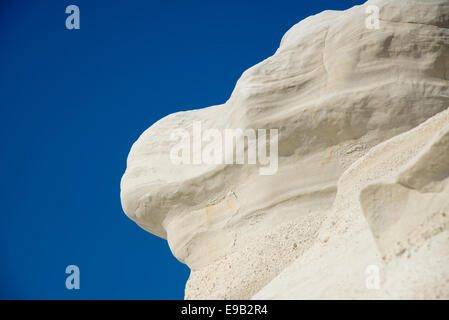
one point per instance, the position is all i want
(391, 211)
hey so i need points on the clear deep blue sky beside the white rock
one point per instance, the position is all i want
(72, 102)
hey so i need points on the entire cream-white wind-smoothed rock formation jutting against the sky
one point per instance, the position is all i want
(361, 174)
